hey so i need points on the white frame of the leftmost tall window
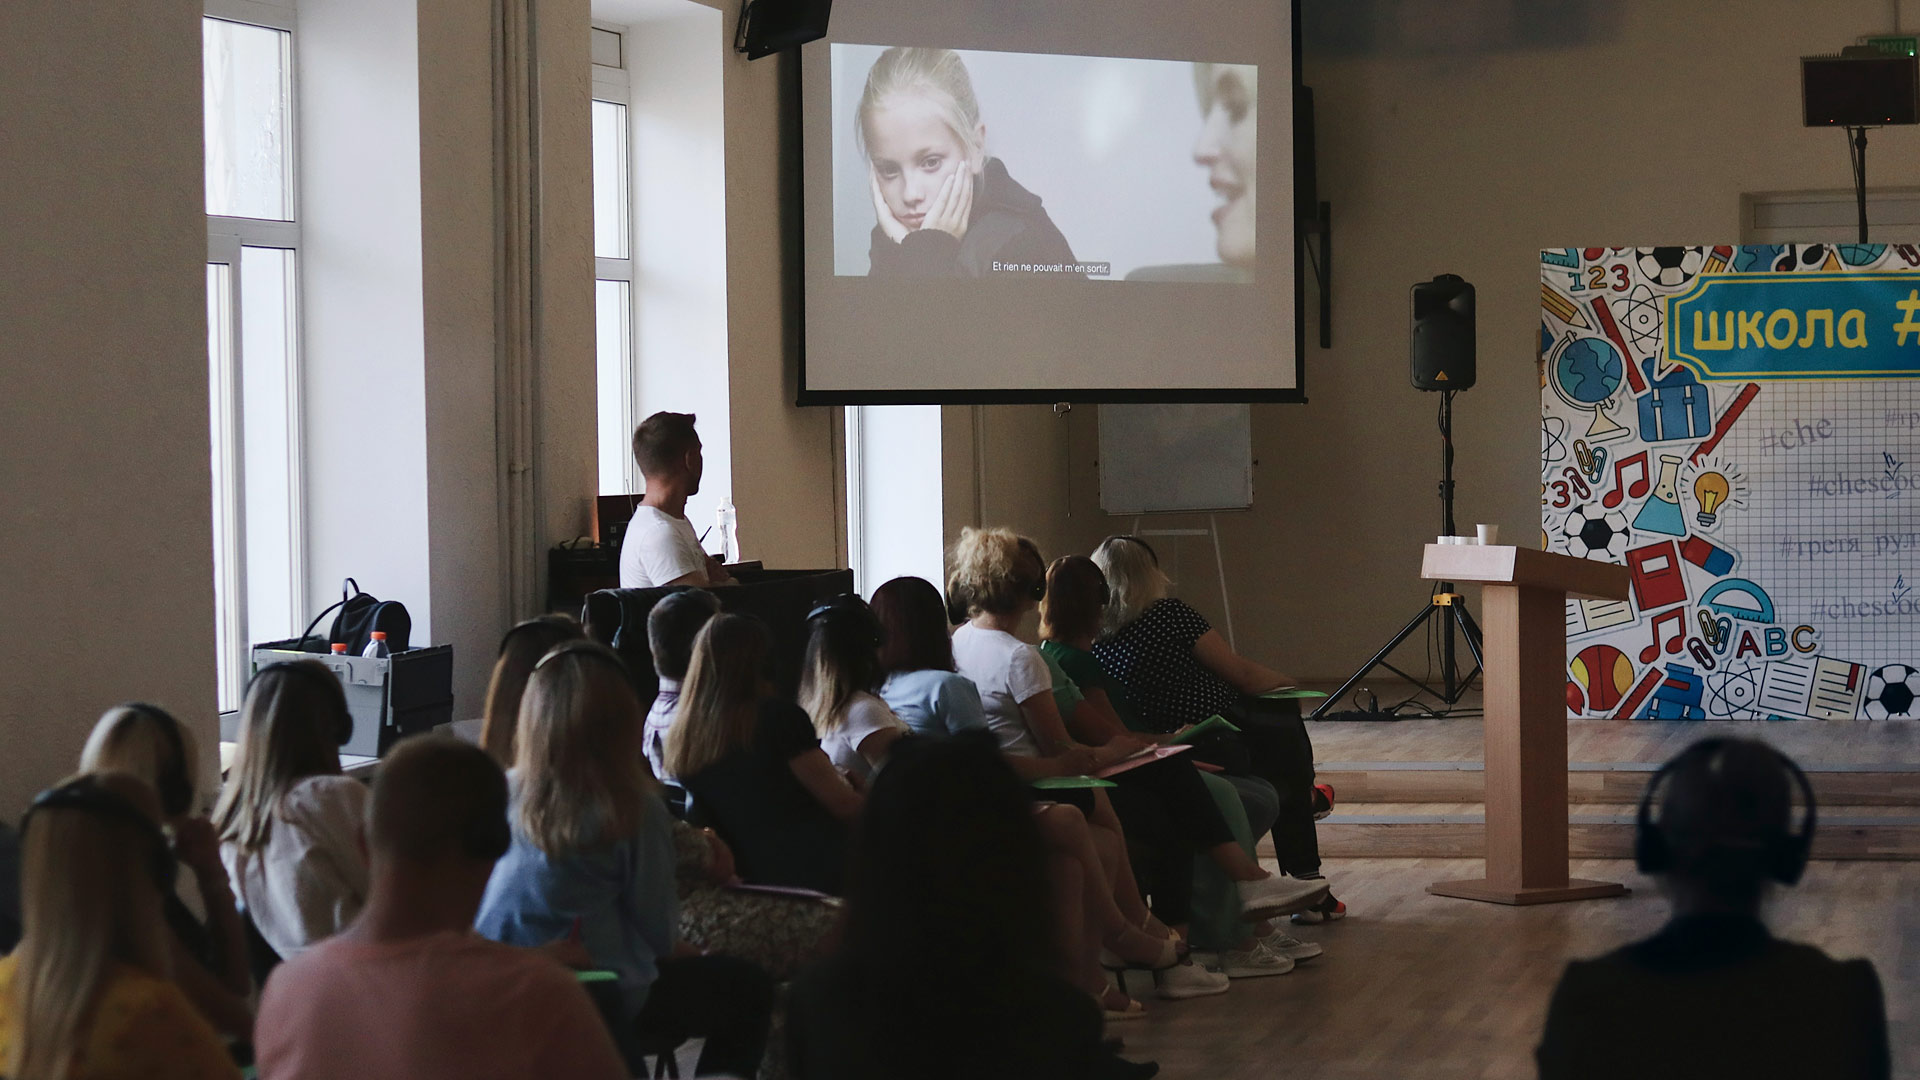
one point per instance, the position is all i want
(228, 239)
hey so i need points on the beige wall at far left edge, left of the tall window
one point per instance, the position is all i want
(107, 551)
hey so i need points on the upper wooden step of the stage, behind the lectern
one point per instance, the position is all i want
(1618, 783)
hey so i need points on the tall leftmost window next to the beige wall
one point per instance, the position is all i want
(252, 331)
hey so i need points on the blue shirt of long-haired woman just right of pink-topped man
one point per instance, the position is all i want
(623, 898)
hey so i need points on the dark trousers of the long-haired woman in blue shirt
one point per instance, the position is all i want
(725, 1000)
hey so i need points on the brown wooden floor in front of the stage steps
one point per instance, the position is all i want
(1431, 989)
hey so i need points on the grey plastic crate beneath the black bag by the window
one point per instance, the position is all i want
(391, 699)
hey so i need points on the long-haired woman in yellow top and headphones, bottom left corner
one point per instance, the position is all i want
(87, 994)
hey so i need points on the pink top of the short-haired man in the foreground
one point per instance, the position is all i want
(448, 1006)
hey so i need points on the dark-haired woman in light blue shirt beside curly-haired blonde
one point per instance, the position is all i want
(917, 658)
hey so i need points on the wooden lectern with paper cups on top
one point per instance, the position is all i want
(1524, 614)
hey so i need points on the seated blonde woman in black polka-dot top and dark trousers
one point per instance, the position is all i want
(1180, 672)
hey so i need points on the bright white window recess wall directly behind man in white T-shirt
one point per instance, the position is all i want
(681, 303)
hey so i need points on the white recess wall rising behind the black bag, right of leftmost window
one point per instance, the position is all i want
(364, 324)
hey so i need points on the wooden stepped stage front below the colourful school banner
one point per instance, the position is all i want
(1414, 789)
